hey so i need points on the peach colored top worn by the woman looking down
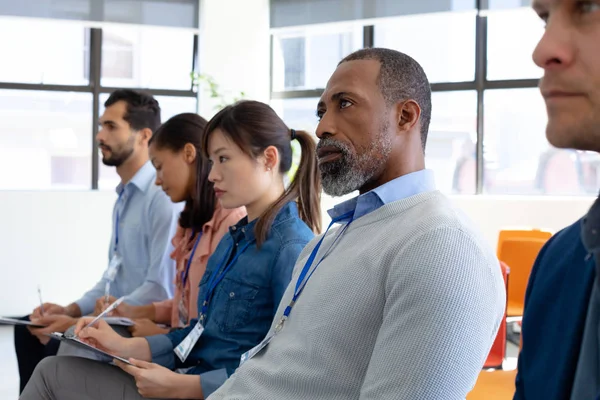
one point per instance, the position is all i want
(167, 311)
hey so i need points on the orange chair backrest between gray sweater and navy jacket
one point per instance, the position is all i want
(519, 249)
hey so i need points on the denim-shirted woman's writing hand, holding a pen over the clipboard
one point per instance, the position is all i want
(101, 336)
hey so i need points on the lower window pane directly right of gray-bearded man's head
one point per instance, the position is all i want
(452, 141)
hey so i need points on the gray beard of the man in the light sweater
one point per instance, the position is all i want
(353, 171)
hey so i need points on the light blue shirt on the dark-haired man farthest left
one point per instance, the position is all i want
(147, 219)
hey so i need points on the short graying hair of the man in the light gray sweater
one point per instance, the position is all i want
(400, 78)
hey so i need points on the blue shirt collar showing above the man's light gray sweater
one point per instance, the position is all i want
(396, 189)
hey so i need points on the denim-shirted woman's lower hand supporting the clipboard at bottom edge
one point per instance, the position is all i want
(155, 381)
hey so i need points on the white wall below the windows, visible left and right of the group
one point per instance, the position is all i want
(60, 239)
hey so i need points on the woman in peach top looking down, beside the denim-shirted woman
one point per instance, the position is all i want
(182, 172)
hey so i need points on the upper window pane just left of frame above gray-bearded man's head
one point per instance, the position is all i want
(305, 59)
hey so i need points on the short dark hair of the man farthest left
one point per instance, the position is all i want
(143, 110)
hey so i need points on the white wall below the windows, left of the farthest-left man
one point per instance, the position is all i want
(58, 240)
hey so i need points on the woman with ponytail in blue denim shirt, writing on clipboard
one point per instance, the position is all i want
(249, 147)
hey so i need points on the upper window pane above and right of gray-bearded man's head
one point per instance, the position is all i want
(445, 50)
